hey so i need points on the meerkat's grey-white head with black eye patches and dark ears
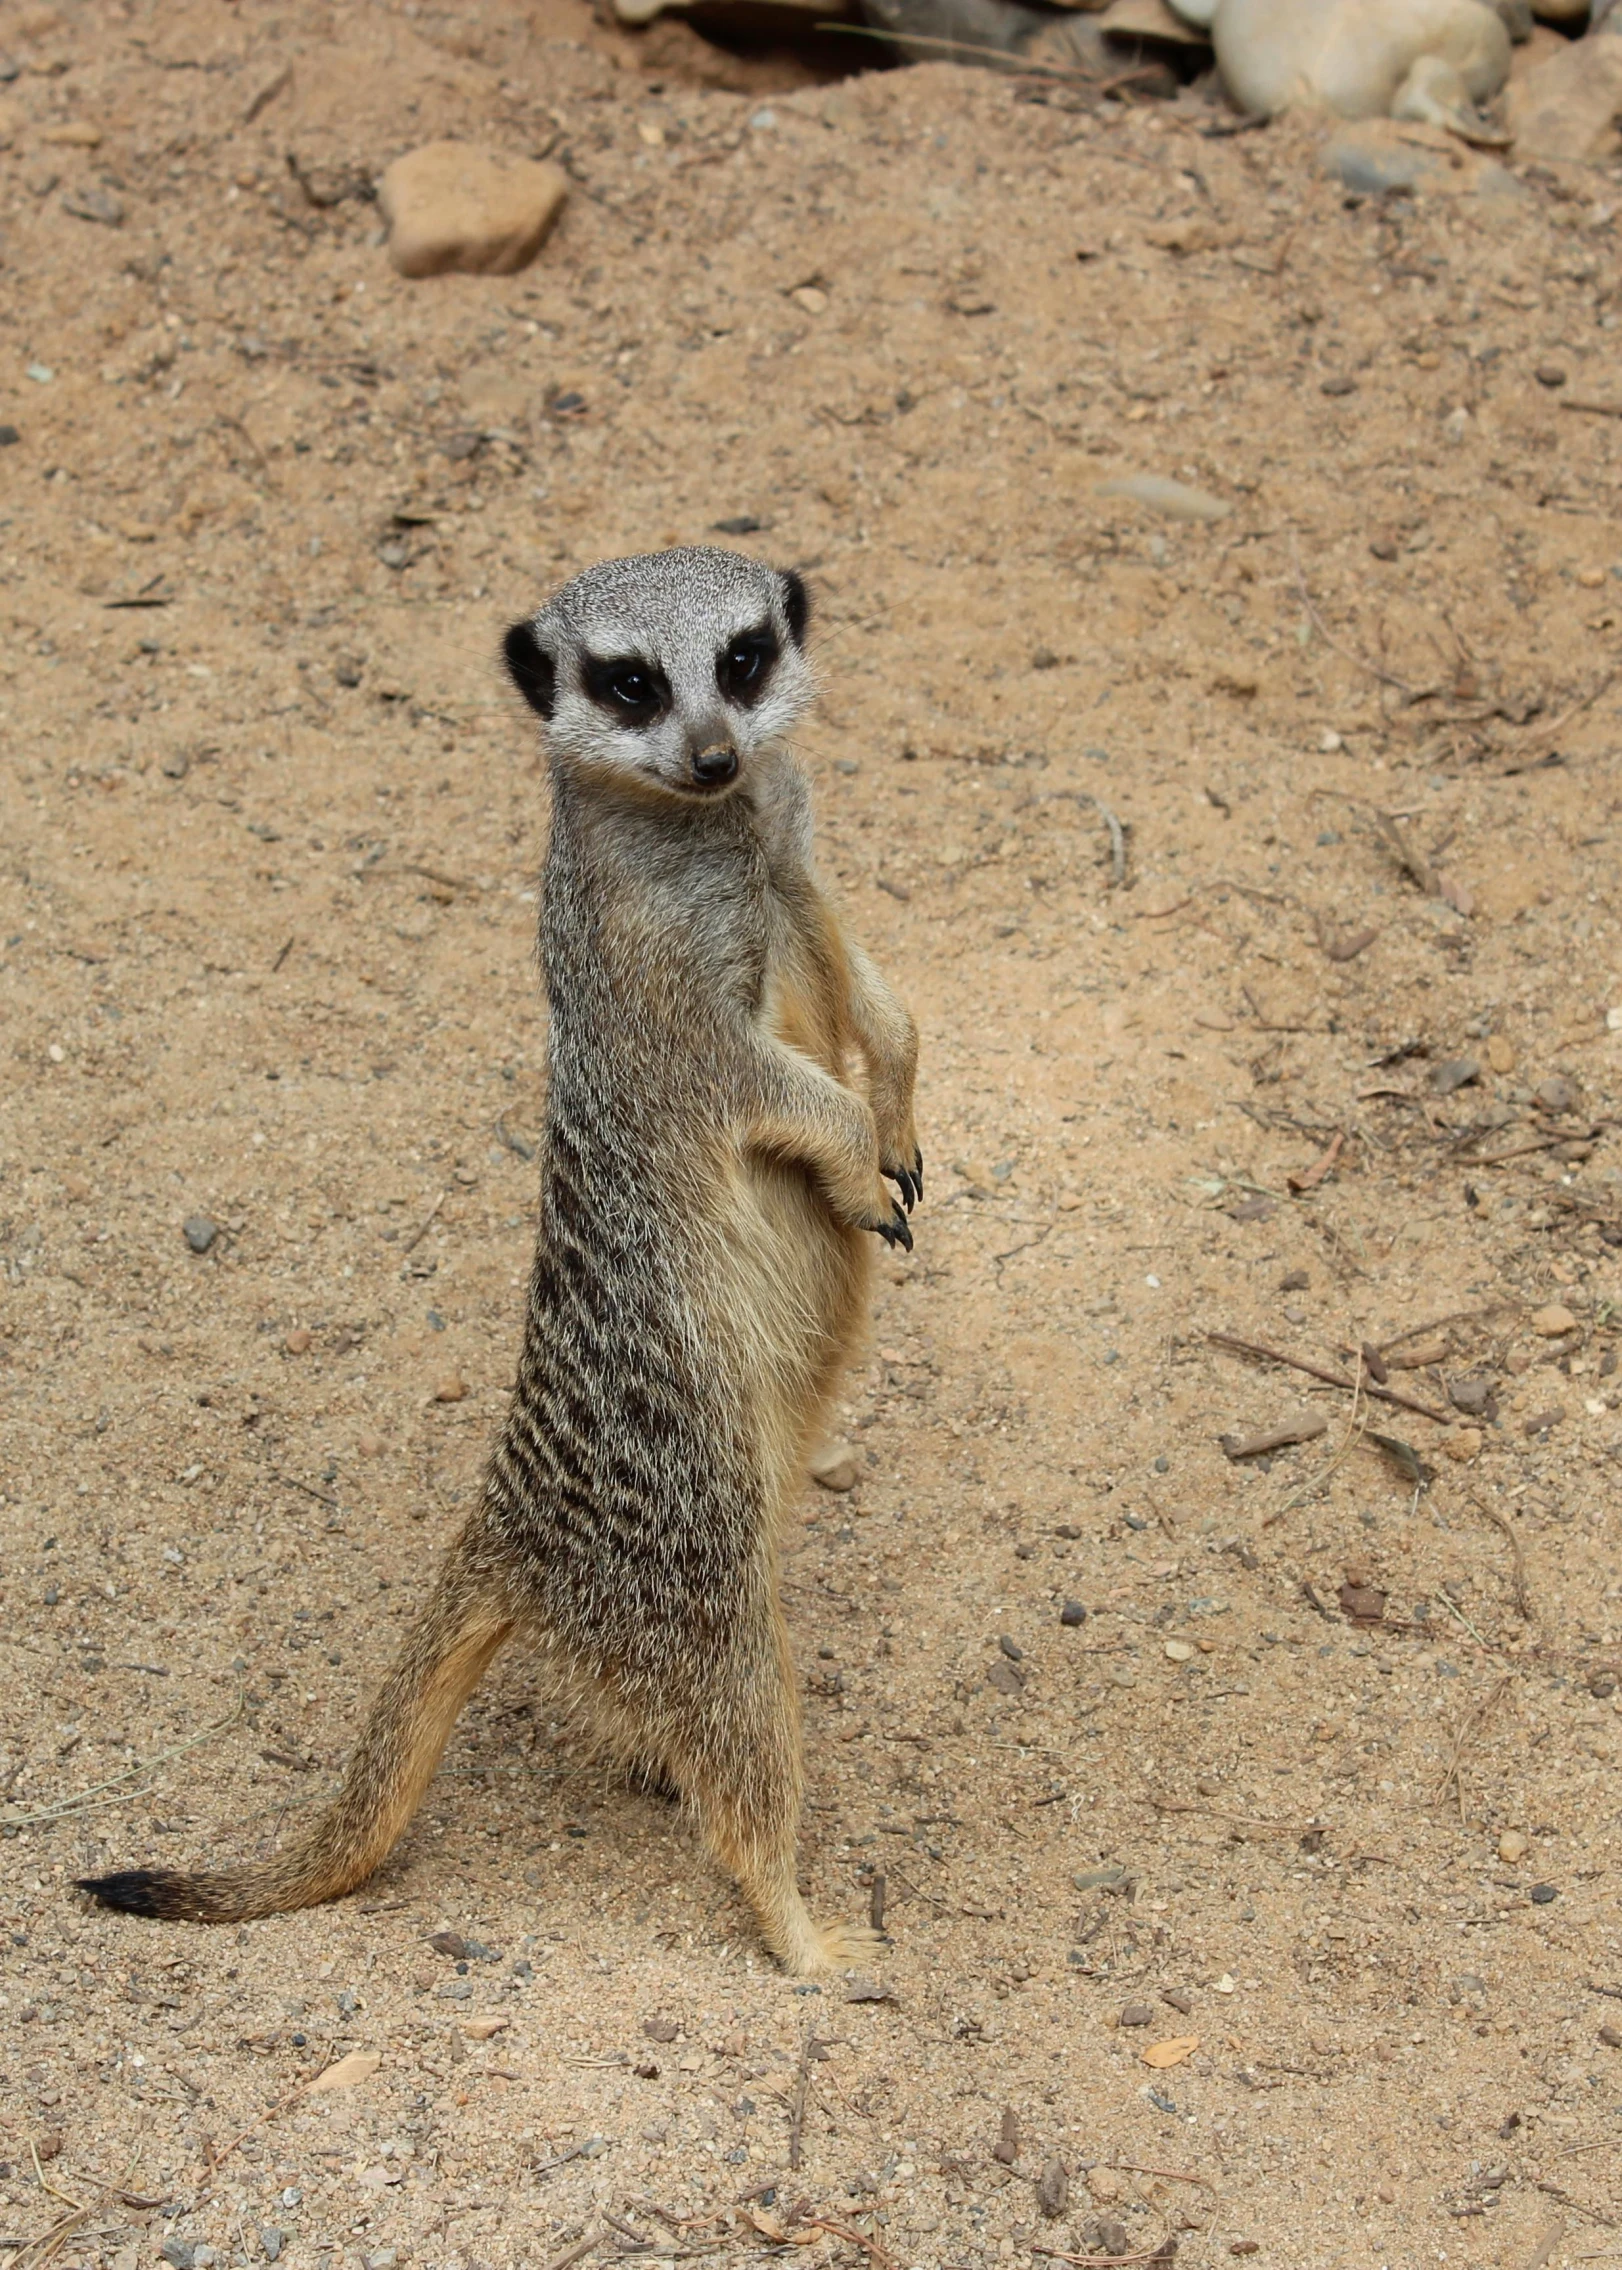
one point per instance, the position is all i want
(670, 671)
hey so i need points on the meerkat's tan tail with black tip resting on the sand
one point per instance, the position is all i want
(389, 1772)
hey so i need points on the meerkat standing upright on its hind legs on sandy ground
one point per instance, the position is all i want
(729, 1098)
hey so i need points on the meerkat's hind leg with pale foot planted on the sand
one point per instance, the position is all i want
(741, 1765)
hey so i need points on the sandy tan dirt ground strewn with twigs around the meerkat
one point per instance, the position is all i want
(269, 850)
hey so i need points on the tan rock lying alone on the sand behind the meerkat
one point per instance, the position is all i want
(453, 205)
